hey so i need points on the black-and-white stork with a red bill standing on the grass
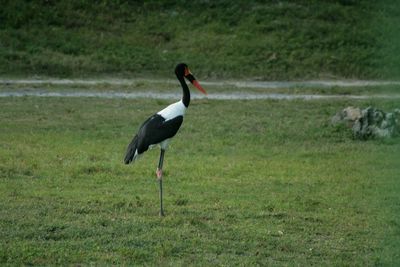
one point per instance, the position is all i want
(161, 127)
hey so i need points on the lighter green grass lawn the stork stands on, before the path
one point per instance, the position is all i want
(247, 183)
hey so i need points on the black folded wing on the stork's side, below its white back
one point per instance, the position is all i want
(155, 130)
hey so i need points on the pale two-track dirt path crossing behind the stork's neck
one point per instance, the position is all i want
(38, 92)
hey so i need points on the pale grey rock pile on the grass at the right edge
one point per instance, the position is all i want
(369, 122)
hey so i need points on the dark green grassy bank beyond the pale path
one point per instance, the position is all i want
(281, 40)
